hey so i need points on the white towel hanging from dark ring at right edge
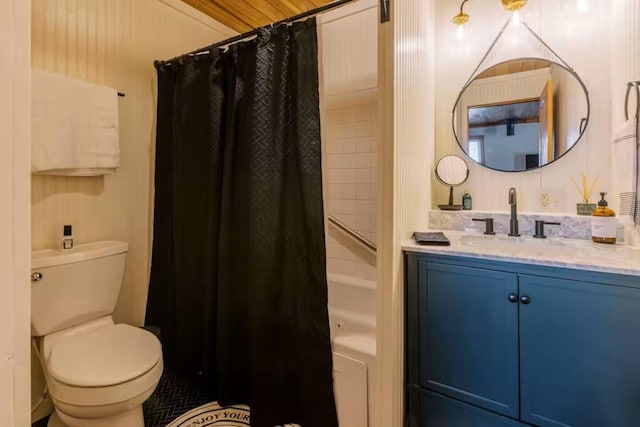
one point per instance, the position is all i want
(626, 155)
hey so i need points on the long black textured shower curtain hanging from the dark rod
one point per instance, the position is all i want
(238, 278)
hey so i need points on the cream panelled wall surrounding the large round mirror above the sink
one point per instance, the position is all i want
(581, 38)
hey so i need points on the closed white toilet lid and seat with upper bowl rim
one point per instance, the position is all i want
(104, 367)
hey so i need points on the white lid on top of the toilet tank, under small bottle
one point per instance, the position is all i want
(84, 252)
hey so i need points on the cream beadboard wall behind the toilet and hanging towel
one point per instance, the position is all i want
(112, 43)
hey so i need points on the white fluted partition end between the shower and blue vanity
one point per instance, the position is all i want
(406, 130)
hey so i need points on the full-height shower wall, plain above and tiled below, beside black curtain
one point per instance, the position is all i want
(349, 111)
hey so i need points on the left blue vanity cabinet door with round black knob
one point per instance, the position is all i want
(468, 335)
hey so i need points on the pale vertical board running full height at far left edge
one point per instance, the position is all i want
(14, 213)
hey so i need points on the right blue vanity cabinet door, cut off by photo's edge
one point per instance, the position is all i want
(579, 353)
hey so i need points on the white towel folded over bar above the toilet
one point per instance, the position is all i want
(74, 126)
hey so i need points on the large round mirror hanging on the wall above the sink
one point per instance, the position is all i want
(521, 114)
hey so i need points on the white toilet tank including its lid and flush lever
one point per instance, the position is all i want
(74, 286)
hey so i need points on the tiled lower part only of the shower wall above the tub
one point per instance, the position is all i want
(351, 146)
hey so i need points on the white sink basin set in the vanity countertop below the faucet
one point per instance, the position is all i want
(519, 245)
